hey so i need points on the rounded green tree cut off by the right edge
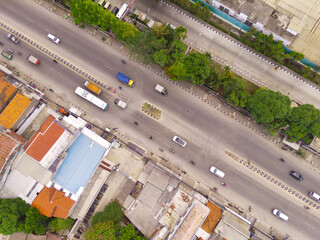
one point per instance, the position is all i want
(304, 123)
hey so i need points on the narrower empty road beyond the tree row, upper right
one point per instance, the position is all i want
(232, 54)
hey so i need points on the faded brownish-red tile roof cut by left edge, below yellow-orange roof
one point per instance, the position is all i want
(7, 145)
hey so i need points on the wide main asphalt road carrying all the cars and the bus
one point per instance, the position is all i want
(207, 132)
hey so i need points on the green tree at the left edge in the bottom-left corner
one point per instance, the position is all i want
(12, 214)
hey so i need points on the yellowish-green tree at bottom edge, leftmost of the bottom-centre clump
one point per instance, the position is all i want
(102, 231)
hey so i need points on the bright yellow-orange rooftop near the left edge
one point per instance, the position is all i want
(14, 110)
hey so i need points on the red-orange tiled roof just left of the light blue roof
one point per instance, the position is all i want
(42, 141)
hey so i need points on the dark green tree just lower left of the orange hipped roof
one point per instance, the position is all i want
(35, 222)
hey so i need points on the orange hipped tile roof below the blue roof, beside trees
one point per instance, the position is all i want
(53, 203)
